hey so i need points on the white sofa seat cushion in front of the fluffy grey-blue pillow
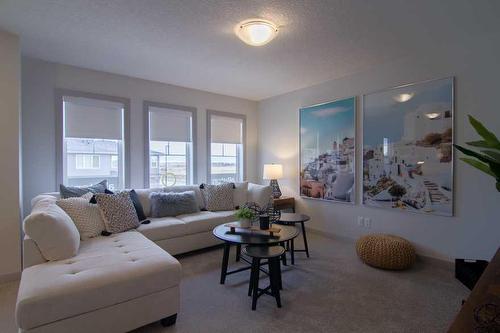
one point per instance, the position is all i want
(163, 228)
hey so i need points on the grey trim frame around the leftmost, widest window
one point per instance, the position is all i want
(59, 104)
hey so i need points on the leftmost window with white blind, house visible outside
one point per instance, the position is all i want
(93, 142)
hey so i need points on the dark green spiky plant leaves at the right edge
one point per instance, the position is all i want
(488, 161)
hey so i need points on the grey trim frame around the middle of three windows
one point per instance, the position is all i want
(191, 157)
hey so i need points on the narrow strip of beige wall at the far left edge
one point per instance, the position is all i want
(10, 209)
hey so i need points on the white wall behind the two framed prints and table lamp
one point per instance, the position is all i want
(474, 232)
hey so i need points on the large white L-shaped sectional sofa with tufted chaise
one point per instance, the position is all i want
(120, 282)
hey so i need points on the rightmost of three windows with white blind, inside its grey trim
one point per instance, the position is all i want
(226, 147)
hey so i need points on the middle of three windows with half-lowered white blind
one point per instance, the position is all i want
(170, 130)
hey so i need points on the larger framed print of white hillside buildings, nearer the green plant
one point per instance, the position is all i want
(407, 148)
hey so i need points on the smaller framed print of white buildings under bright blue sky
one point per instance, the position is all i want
(327, 151)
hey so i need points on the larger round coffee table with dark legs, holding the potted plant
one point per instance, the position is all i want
(222, 232)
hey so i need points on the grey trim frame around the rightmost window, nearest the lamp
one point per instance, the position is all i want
(239, 116)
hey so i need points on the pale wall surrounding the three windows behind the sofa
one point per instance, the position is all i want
(39, 81)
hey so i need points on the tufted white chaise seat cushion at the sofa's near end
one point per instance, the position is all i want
(107, 271)
